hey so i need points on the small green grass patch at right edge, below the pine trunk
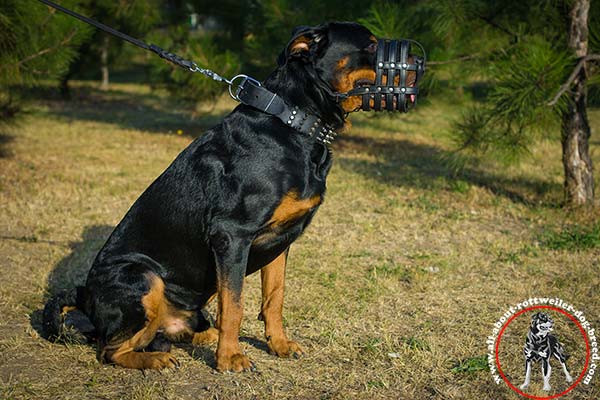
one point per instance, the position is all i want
(573, 238)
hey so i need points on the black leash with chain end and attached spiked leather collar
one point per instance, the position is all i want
(249, 91)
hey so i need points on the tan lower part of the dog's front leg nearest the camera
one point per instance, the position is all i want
(229, 319)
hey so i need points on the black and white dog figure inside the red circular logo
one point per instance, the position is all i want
(541, 345)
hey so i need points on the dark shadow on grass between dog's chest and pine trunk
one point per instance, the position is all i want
(407, 164)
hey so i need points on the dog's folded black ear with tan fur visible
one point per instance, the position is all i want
(305, 44)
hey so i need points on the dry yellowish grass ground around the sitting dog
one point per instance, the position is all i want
(392, 291)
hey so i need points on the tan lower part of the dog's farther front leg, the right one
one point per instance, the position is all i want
(273, 278)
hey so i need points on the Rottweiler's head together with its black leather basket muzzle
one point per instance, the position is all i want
(346, 59)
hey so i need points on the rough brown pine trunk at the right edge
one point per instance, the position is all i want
(579, 178)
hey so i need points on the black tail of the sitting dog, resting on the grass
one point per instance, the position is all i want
(55, 312)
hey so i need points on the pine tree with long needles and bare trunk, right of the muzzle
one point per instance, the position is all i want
(536, 47)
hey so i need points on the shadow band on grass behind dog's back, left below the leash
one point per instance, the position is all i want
(147, 112)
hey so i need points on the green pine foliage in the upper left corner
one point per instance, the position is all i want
(36, 43)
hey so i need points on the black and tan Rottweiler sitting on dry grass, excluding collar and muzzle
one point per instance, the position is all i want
(230, 204)
